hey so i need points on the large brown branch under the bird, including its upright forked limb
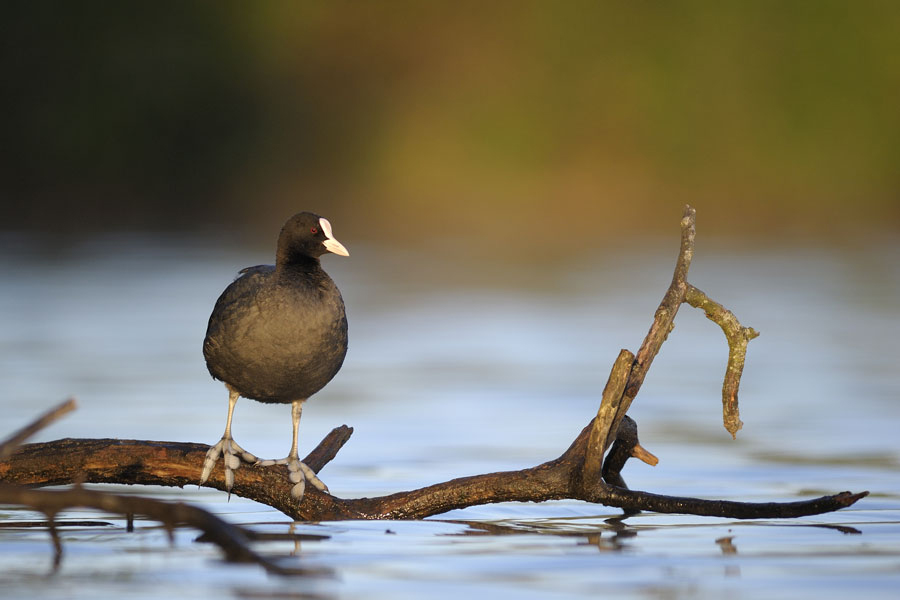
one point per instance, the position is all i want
(575, 474)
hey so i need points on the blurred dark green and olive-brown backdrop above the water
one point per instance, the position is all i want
(505, 122)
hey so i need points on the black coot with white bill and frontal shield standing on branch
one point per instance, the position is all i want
(278, 334)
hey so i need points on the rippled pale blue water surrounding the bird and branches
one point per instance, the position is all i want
(458, 368)
